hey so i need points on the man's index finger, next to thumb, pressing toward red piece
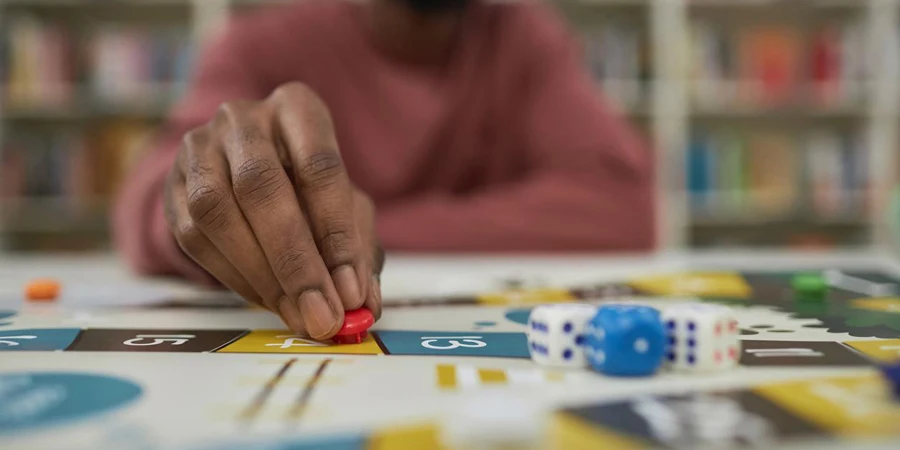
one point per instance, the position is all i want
(323, 184)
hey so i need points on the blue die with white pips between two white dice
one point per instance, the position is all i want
(625, 340)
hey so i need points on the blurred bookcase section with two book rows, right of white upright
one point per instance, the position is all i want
(778, 152)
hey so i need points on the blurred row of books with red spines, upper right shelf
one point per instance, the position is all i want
(776, 65)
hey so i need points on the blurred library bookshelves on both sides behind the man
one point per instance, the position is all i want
(774, 122)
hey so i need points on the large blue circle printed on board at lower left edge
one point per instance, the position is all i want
(30, 400)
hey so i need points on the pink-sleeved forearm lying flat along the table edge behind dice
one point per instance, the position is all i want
(550, 212)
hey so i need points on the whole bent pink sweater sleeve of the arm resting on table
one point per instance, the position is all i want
(590, 182)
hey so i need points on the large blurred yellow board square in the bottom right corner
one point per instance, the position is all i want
(854, 406)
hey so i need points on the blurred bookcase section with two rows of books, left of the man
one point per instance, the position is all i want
(82, 84)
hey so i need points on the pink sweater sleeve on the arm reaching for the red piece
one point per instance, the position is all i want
(139, 228)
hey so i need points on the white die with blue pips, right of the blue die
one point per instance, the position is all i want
(701, 337)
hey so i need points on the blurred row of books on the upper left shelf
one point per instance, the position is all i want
(45, 64)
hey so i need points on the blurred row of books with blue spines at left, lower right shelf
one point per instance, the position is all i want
(772, 176)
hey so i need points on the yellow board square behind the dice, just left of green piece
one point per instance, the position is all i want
(722, 285)
